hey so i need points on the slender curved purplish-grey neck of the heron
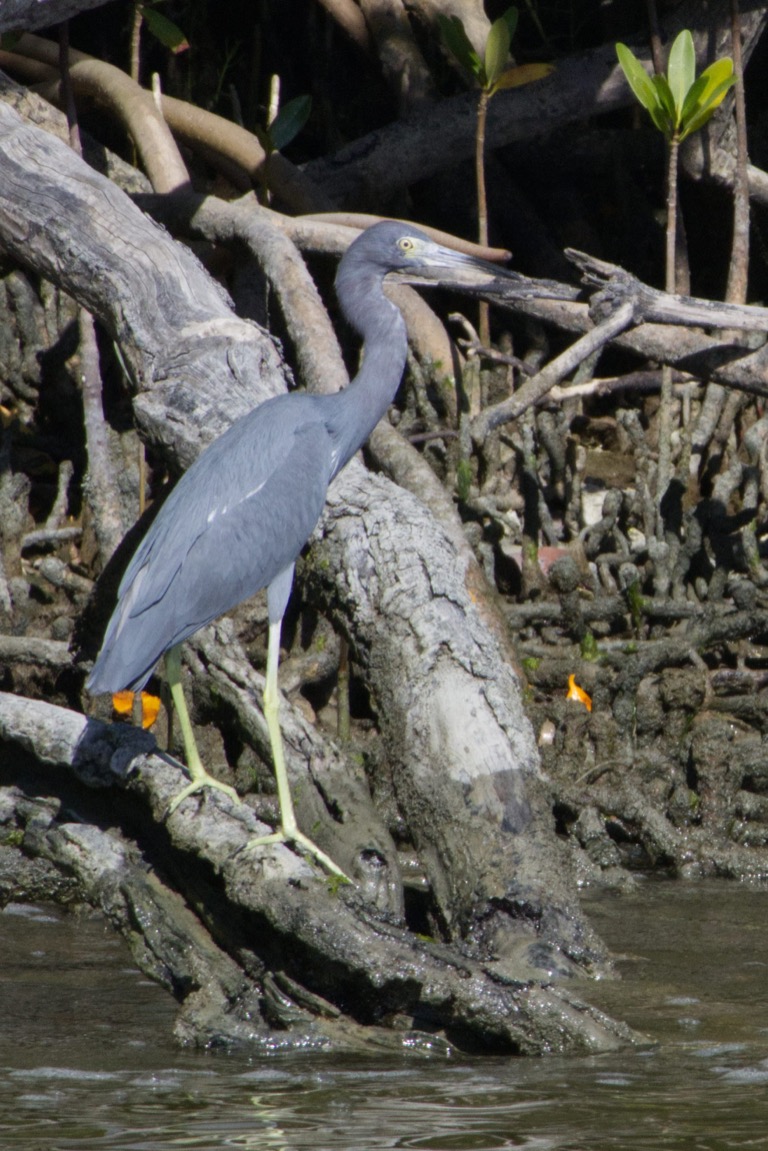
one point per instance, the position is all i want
(359, 408)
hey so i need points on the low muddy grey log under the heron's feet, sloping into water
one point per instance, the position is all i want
(302, 947)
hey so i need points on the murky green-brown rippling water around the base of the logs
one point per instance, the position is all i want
(87, 1063)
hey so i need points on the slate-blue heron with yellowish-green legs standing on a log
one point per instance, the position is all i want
(240, 516)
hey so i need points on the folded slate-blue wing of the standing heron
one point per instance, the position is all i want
(237, 520)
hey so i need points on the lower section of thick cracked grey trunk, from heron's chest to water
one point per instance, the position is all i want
(465, 771)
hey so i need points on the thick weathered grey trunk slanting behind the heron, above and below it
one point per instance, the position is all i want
(472, 792)
